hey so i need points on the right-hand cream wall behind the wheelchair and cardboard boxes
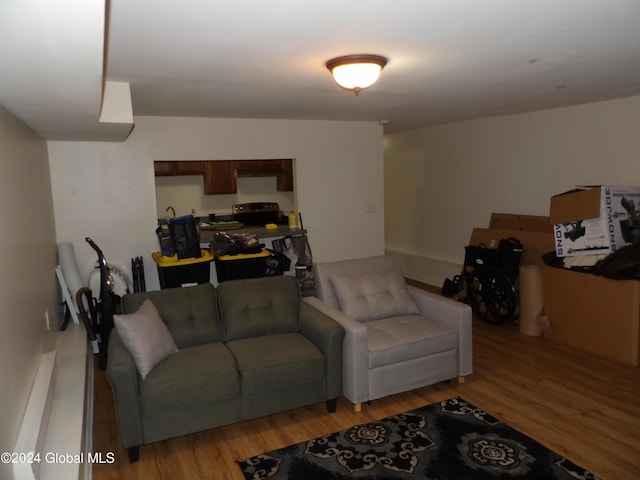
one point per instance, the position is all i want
(442, 181)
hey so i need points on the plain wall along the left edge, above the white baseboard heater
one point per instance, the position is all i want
(27, 277)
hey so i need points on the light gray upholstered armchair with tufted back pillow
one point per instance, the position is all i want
(397, 337)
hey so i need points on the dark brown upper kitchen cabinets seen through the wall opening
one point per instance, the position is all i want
(220, 176)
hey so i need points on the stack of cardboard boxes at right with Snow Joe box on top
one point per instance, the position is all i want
(587, 311)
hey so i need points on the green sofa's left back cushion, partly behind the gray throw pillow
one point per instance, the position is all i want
(190, 313)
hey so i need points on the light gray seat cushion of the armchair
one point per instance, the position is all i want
(397, 339)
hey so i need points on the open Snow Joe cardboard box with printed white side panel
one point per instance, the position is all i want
(595, 220)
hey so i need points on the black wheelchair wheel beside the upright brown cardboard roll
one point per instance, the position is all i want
(498, 295)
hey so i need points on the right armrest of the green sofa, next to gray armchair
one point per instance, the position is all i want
(328, 336)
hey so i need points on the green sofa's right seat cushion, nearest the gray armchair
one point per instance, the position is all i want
(272, 362)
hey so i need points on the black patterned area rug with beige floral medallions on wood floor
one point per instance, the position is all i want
(450, 440)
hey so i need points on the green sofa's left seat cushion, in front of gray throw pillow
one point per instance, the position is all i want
(197, 375)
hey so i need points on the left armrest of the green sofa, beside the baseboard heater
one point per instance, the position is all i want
(123, 377)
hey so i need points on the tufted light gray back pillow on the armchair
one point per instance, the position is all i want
(371, 296)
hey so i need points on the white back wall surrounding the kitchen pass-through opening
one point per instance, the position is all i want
(106, 190)
